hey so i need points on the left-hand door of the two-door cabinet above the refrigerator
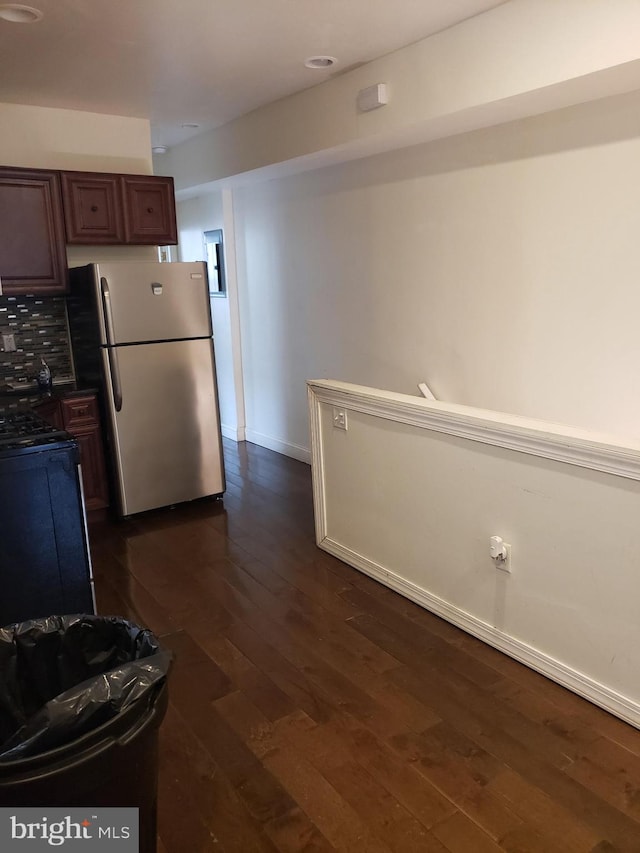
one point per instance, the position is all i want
(92, 207)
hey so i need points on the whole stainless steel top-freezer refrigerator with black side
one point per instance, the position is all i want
(141, 331)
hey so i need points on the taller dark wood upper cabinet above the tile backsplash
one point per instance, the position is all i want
(32, 245)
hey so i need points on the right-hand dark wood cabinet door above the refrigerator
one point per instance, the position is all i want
(149, 210)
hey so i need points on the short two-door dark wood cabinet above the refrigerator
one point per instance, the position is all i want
(119, 209)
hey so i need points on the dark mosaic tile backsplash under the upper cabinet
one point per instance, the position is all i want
(39, 326)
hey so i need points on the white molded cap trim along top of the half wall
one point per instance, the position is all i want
(592, 450)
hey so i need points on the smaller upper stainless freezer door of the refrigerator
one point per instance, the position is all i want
(148, 301)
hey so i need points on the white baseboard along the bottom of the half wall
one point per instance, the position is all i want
(572, 679)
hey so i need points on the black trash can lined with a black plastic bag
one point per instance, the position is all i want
(81, 701)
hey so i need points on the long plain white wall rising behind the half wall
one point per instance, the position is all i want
(501, 267)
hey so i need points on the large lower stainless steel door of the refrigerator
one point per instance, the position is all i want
(166, 435)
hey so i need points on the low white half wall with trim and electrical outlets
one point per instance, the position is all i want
(411, 491)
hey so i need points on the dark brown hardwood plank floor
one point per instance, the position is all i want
(313, 709)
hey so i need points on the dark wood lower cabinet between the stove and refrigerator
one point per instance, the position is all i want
(78, 415)
